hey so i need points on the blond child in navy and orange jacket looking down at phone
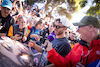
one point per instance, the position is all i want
(19, 31)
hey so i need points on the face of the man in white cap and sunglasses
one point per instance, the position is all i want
(59, 28)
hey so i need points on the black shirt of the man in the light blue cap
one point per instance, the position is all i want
(6, 23)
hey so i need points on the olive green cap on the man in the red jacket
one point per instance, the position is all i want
(88, 20)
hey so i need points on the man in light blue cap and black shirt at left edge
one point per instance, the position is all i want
(5, 19)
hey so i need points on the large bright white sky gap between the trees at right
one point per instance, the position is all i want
(77, 16)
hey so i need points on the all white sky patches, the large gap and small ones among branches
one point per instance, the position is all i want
(77, 16)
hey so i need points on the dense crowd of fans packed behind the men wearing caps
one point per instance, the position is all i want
(33, 18)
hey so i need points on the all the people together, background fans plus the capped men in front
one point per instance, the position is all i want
(42, 32)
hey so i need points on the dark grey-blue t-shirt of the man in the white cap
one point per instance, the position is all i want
(61, 46)
